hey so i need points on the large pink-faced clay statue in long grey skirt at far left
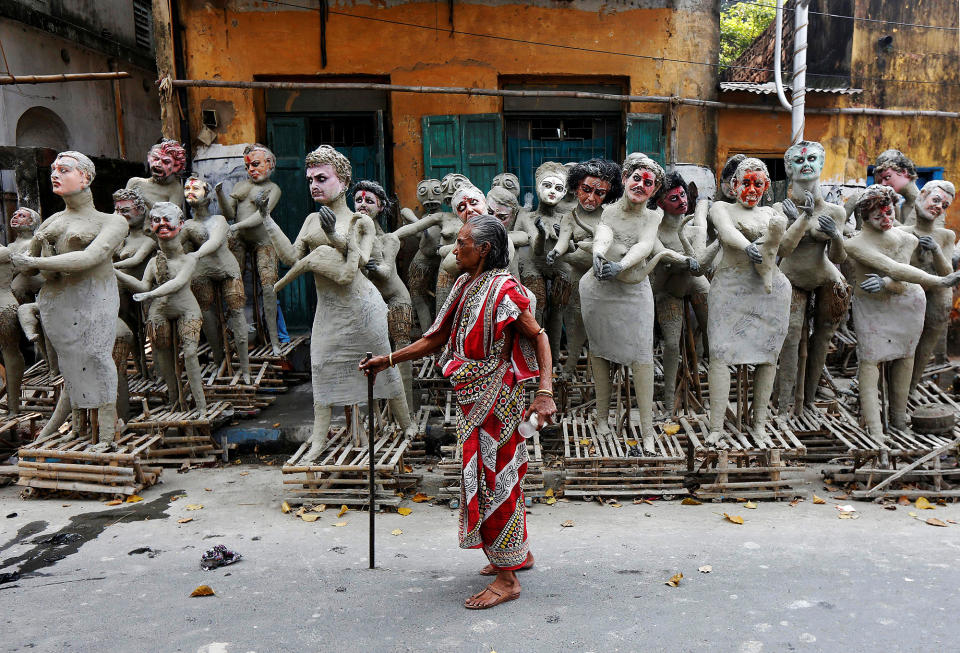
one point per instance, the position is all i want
(79, 300)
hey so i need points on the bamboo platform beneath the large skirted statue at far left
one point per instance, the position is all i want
(52, 465)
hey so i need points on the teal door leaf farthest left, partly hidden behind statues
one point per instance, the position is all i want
(287, 138)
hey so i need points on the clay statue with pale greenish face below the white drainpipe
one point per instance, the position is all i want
(813, 272)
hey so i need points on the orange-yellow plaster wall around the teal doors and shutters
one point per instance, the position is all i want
(238, 40)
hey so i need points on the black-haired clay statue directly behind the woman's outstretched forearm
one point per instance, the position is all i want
(370, 199)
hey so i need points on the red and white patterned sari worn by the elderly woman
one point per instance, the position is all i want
(488, 384)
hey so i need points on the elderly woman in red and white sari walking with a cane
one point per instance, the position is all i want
(491, 345)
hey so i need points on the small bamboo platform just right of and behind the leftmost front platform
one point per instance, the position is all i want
(193, 443)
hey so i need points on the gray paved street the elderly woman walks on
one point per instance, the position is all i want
(790, 578)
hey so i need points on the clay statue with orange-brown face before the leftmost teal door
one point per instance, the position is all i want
(241, 206)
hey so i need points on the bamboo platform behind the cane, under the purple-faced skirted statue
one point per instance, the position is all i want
(340, 474)
